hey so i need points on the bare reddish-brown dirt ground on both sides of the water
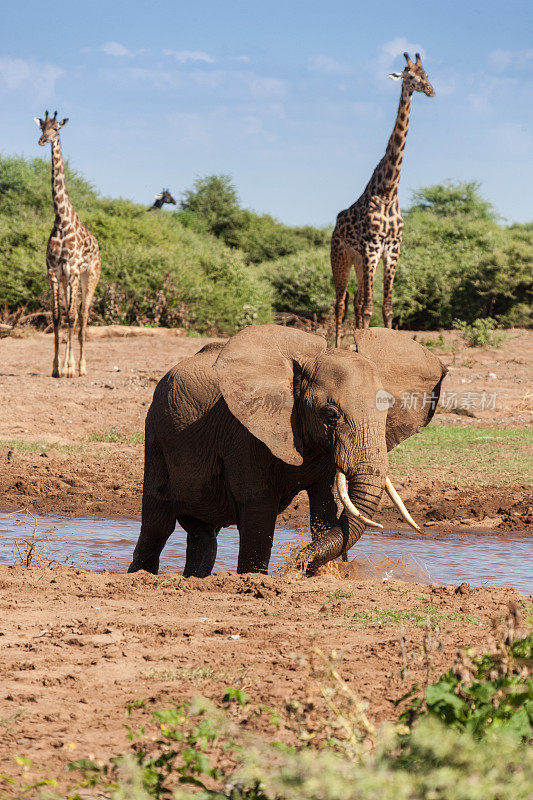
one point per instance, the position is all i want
(77, 647)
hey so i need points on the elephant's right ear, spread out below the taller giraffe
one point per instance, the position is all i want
(410, 373)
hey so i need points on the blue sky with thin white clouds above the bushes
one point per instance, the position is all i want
(289, 98)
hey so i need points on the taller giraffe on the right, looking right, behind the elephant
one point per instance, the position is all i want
(372, 227)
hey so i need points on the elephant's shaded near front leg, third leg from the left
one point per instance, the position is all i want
(256, 523)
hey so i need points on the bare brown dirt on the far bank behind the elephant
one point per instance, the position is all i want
(50, 461)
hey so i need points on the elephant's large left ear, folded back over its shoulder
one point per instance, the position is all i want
(255, 370)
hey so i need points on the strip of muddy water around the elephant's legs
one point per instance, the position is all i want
(482, 559)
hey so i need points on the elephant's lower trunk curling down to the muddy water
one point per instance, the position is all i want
(364, 493)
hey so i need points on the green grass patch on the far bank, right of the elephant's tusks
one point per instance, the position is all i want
(467, 455)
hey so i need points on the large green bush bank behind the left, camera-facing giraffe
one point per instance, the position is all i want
(154, 270)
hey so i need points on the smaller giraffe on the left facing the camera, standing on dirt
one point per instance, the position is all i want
(72, 256)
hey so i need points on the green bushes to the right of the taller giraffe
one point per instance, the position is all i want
(457, 262)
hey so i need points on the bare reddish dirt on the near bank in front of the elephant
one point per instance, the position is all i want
(77, 647)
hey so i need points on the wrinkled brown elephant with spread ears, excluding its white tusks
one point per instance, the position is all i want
(236, 431)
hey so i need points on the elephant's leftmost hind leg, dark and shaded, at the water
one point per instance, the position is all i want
(158, 522)
